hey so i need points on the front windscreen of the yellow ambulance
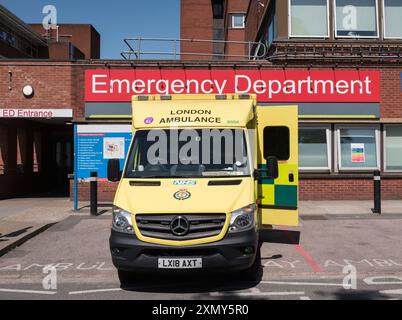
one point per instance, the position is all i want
(188, 153)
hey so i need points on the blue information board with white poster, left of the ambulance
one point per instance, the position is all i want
(95, 148)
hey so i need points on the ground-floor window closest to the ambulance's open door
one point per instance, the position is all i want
(314, 148)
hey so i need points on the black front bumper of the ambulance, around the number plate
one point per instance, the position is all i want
(131, 254)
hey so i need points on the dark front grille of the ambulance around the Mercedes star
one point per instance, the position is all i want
(159, 226)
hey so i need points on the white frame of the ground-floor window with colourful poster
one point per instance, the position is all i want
(377, 136)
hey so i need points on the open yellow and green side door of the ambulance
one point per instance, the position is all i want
(277, 135)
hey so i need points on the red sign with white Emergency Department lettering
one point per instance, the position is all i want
(269, 85)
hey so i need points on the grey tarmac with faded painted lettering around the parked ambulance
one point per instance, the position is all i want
(327, 257)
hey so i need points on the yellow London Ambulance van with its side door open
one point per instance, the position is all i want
(204, 174)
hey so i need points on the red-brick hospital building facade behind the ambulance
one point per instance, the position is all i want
(26, 167)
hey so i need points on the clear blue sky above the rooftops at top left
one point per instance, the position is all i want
(114, 19)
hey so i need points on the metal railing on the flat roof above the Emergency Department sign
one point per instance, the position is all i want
(137, 49)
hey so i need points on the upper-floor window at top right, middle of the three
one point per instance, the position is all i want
(356, 18)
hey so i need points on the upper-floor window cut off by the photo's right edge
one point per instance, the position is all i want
(392, 19)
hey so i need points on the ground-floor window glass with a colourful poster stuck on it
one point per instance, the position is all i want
(358, 148)
